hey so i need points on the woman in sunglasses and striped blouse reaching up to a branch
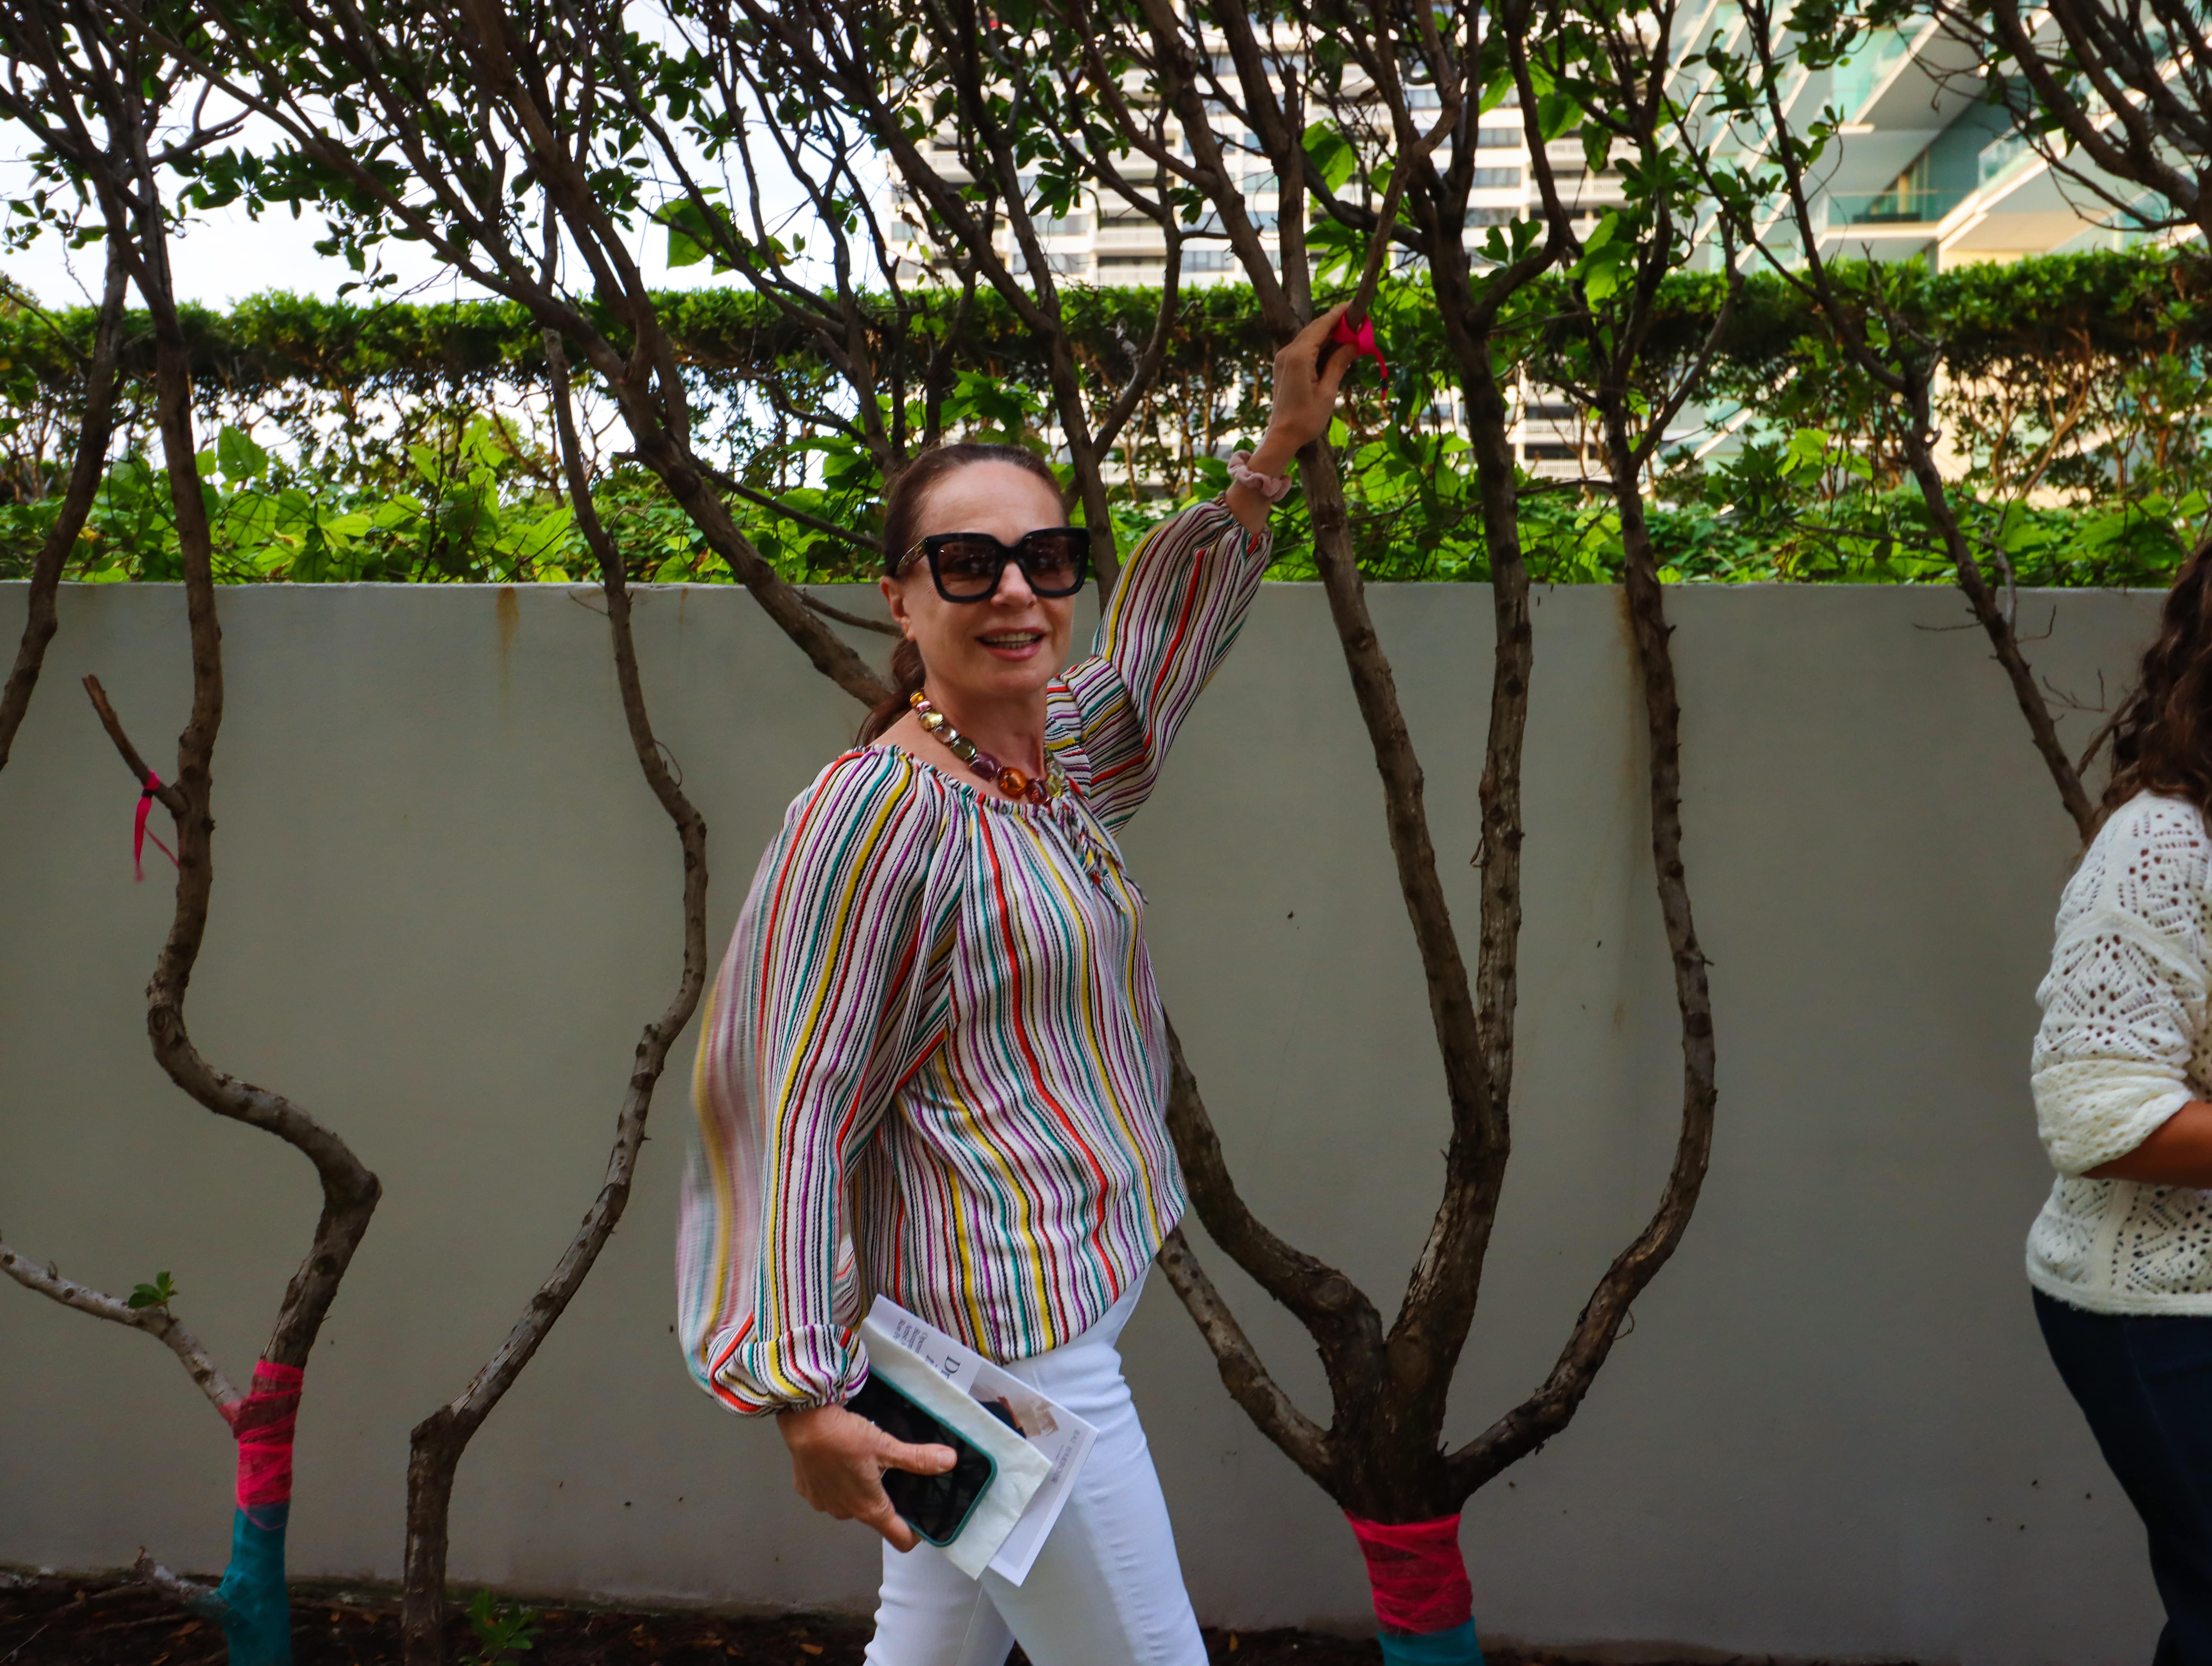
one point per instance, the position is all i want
(935, 1061)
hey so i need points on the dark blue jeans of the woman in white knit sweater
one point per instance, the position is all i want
(2147, 1391)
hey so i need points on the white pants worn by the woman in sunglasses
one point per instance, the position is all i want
(1107, 1587)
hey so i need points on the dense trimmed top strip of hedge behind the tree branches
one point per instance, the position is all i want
(2054, 306)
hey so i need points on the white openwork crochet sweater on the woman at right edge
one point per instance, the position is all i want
(2127, 1041)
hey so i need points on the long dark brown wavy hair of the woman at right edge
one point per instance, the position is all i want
(2162, 733)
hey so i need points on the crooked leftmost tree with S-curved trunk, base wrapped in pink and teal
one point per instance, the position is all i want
(116, 118)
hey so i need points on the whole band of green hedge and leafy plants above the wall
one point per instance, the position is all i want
(404, 441)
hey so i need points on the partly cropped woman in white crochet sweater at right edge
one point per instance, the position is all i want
(2122, 1253)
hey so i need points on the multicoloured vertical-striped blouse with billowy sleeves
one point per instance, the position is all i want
(935, 1061)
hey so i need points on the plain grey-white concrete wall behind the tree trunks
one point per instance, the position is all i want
(446, 904)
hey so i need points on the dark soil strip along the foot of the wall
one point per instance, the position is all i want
(105, 1623)
